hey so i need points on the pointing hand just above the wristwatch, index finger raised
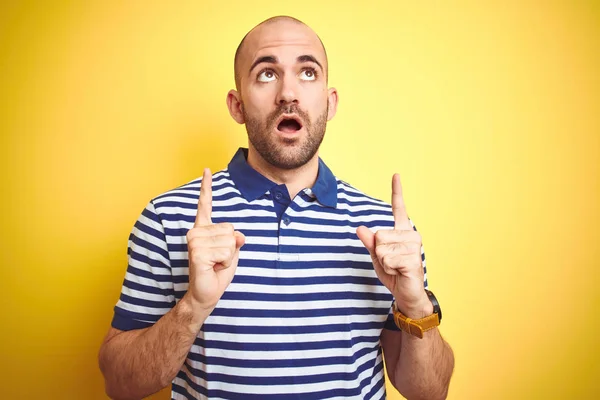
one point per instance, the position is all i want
(396, 255)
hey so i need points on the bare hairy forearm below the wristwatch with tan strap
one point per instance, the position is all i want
(418, 368)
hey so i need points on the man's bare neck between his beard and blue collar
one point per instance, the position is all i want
(295, 180)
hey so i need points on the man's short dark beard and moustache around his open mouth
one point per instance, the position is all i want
(286, 153)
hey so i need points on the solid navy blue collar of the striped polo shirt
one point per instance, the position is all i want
(252, 184)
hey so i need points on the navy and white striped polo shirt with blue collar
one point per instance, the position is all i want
(303, 315)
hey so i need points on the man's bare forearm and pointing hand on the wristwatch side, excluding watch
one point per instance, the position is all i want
(418, 368)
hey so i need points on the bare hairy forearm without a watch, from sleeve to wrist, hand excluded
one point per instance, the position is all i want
(140, 362)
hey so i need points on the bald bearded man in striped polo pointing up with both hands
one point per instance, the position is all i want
(266, 280)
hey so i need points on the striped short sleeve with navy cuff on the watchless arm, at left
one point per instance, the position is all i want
(147, 292)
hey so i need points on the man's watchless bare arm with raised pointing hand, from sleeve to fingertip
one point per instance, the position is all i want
(140, 362)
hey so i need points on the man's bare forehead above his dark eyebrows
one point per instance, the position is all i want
(282, 39)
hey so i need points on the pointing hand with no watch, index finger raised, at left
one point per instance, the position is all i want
(213, 252)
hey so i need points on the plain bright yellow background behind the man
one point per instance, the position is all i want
(489, 110)
